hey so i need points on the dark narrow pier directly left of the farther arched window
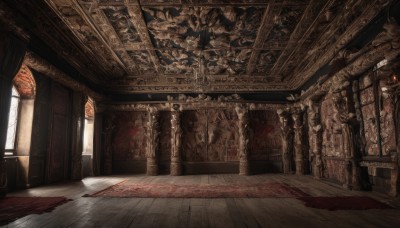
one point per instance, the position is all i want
(78, 118)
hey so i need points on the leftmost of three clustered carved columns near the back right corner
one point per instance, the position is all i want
(287, 140)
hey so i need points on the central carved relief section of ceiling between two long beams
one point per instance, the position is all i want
(187, 31)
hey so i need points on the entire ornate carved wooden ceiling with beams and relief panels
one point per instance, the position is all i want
(157, 46)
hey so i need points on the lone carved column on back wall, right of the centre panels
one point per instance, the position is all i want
(243, 116)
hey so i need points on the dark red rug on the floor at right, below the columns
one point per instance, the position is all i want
(343, 203)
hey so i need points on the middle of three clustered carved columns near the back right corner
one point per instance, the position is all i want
(298, 140)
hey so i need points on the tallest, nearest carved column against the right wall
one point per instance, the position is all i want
(346, 116)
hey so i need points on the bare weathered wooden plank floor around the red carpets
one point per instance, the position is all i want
(228, 212)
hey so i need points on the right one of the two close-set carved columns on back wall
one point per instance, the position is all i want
(176, 133)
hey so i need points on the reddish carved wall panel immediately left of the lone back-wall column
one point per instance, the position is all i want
(222, 135)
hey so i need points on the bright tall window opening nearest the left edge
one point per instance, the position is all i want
(12, 122)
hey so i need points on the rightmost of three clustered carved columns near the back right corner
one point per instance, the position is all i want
(315, 138)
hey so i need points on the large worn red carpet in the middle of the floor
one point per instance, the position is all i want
(200, 191)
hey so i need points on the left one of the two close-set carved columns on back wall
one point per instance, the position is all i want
(152, 141)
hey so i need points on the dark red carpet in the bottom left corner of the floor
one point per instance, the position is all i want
(13, 208)
